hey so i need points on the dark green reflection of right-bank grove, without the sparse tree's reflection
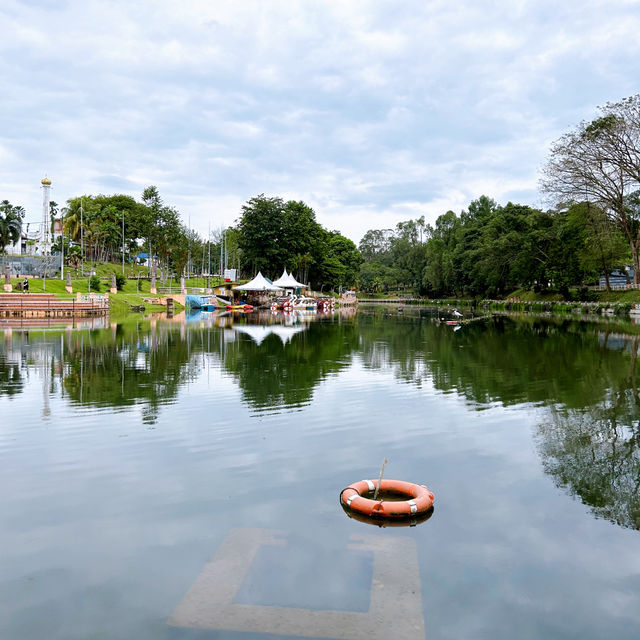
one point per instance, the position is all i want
(497, 360)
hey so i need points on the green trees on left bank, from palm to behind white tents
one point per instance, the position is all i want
(269, 235)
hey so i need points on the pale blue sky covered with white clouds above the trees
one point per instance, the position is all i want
(371, 111)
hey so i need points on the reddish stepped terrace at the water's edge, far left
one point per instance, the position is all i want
(46, 305)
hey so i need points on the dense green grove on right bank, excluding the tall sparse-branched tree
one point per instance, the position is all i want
(490, 250)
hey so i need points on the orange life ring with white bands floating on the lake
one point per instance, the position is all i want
(418, 499)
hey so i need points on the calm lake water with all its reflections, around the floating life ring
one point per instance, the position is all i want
(173, 480)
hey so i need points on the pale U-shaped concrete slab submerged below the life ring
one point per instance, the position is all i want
(396, 600)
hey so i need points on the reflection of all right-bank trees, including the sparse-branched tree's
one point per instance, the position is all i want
(591, 445)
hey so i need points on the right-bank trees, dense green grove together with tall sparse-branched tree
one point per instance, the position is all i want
(592, 178)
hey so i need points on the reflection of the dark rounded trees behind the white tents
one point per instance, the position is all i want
(275, 375)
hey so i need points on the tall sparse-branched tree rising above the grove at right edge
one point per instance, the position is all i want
(599, 162)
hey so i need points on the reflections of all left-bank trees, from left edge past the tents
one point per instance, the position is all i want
(147, 367)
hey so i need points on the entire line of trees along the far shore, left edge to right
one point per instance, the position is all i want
(592, 178)
